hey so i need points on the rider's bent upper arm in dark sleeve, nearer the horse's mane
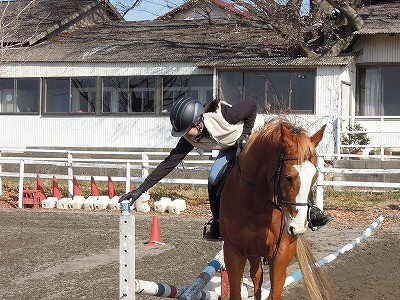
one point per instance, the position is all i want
(245, 111)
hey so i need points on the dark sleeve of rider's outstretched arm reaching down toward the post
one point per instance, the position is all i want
(168, 164)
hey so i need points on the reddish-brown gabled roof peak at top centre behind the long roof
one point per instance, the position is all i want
(226, 5)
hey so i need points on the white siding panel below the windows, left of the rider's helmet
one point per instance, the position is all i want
(96, 132)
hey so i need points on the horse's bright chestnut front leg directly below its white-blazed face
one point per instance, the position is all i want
(278, 268)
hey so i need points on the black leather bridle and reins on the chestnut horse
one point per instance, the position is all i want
(277, 195)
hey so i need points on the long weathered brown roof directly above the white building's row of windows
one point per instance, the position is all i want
(159, 41)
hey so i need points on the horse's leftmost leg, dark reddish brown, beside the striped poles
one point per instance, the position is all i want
(234, 264)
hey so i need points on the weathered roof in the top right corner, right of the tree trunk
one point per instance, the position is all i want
(380, 17)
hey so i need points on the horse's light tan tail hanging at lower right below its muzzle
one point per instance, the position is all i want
(314, 277)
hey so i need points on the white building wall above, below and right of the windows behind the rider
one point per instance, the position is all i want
(20, 131)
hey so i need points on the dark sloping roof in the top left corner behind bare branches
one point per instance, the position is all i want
(26, 21)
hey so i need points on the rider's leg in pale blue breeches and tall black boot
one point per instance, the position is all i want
(212, 232)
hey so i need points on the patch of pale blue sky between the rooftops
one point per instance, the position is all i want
(150, 9)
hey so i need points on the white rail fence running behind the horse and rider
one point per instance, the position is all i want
(144, 164)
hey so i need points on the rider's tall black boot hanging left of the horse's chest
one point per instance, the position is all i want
(211, 228)
